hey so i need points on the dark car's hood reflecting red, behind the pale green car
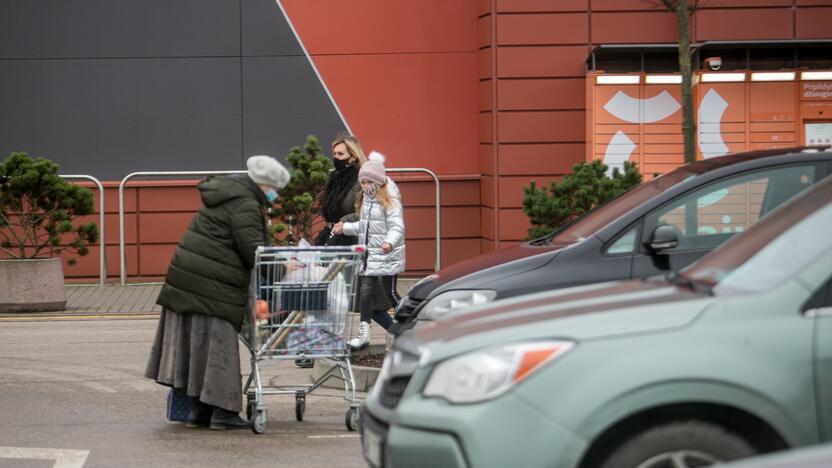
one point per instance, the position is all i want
(477, 272)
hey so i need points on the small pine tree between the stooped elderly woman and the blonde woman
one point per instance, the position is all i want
(298, 207)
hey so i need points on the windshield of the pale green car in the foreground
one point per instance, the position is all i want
(775, 249)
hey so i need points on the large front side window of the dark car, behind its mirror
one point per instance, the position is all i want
(709, 216)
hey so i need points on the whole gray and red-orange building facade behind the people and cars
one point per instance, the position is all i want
(488, 94)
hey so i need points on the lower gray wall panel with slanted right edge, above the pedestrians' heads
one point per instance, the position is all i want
(283, 101)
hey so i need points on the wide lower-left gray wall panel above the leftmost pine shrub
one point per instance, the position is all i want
(111, 117)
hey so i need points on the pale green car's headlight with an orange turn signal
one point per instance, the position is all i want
(486, 374)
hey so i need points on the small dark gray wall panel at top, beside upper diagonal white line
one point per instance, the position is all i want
(265, 30)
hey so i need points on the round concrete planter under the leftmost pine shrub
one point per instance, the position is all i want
(32, 285)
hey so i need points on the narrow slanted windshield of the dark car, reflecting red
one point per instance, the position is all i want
(608, 212)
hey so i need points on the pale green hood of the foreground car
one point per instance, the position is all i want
(580, 313)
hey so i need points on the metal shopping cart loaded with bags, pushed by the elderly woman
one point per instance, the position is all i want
(300, 299)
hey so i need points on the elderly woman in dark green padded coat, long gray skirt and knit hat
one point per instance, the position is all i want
(205, 293)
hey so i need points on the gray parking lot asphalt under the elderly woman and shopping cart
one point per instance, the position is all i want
(72, 391)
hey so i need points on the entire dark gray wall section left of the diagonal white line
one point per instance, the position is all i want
(109, 87)
